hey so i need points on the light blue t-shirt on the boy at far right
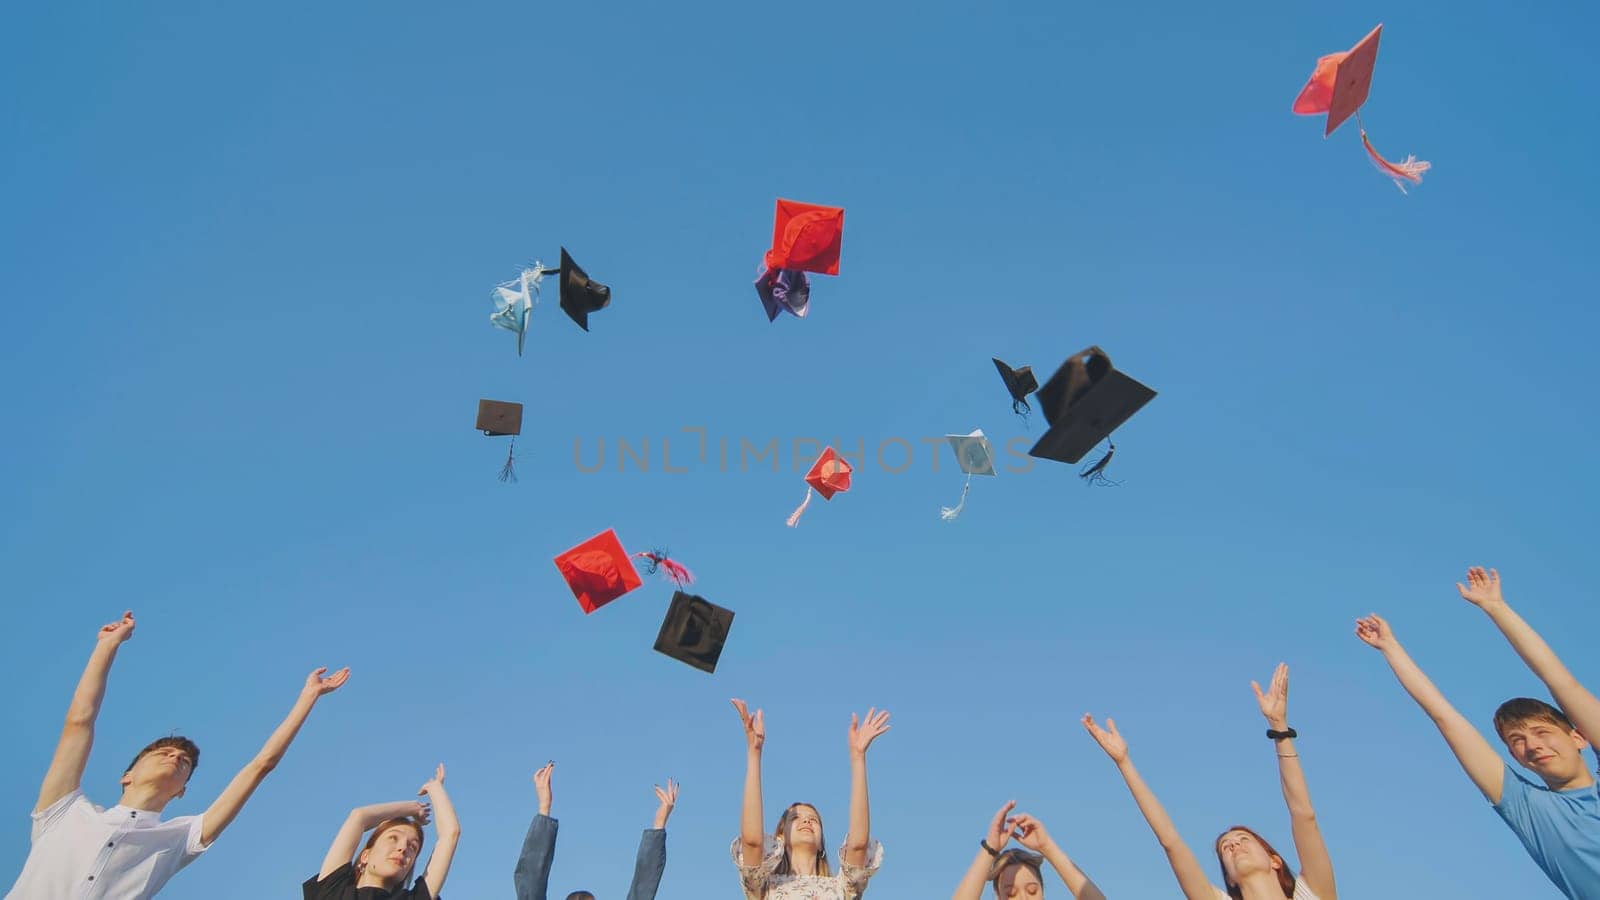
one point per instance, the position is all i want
(1559, 829)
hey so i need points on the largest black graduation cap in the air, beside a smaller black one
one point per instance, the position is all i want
(1084, 403)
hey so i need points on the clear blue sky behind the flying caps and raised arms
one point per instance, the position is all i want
(247, 267)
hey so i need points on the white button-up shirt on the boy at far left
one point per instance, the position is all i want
(87, 853)
